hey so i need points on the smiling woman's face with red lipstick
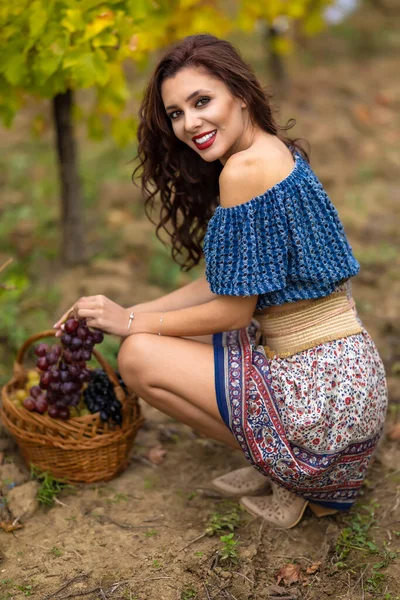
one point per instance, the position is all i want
(204, 114)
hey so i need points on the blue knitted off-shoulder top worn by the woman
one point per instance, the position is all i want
(287, 244)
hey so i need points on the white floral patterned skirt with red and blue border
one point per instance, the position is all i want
(309, 422)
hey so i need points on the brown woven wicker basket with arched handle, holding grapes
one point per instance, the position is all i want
(82, 449)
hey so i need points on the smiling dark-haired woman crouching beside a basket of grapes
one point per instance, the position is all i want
(300, 389)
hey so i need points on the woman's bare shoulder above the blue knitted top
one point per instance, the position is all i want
(251, 173)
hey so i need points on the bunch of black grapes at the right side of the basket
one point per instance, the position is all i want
(100, 397)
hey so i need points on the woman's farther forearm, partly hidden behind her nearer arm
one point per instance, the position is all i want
(196, 292)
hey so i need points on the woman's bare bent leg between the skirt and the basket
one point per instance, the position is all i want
(176, 376)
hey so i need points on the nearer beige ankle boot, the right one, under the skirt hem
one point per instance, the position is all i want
(282, 509)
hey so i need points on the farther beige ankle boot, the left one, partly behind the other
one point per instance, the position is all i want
(245, 481)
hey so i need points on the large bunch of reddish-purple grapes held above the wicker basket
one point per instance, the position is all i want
(64, 370)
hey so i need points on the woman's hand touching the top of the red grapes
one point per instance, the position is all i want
(100, 312)
